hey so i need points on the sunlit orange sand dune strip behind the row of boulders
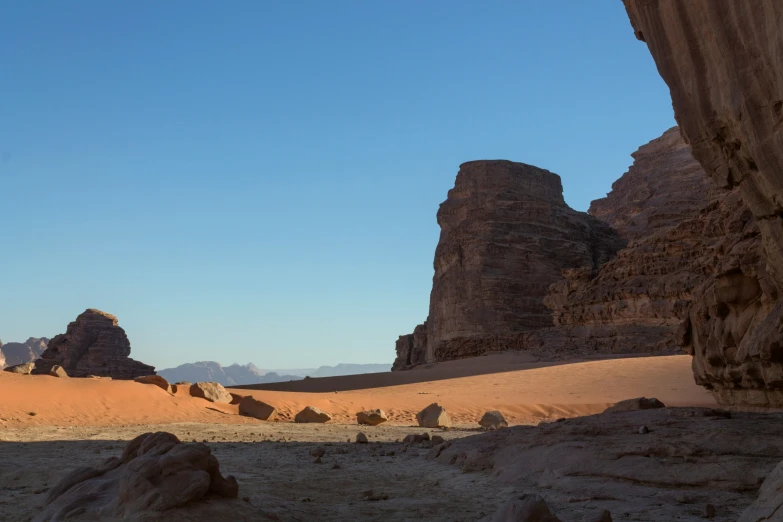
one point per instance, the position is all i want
(523, 395)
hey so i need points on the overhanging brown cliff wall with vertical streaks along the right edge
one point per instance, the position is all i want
(723, 63)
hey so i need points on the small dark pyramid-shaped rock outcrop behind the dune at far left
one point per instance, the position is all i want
(92, 345)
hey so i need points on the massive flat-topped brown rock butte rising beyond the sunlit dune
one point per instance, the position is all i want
(506, 235)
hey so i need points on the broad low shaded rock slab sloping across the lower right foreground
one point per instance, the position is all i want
(690, 457)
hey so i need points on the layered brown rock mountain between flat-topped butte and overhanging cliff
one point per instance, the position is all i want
(679, 227)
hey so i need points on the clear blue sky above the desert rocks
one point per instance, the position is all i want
(258, 181)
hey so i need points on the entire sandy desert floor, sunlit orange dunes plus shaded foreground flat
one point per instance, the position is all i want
(51, 425)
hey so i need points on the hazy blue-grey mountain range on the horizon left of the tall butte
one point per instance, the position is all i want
(237, 374)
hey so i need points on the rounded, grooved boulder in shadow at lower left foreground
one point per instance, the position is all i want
(156, 472)
